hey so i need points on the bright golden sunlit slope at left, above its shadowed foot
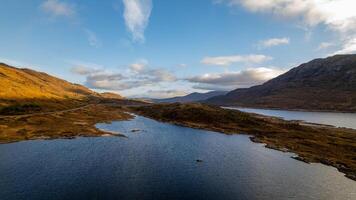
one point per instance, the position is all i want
(19, 84)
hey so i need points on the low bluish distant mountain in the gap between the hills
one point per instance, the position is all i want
(193, 97)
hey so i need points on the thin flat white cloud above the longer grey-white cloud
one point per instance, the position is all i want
(228, 60)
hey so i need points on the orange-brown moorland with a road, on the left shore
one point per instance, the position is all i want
(60, 124)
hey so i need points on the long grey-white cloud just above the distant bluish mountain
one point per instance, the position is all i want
(233, 80)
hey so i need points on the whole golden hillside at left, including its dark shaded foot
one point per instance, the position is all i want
(31, 89)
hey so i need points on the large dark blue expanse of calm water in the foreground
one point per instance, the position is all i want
(159, 162)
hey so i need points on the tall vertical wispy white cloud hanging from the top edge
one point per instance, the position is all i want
(136, 15)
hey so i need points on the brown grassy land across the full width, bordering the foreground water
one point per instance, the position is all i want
(311, 142)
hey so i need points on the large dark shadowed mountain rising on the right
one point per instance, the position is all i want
(327, 84)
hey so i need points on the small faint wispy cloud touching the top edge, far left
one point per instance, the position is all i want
(58, 8)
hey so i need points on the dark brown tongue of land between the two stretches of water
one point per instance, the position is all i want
(328, 145)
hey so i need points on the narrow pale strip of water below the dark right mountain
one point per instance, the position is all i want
(347, 120)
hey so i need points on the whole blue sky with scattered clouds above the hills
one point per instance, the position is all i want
(165, 48)
